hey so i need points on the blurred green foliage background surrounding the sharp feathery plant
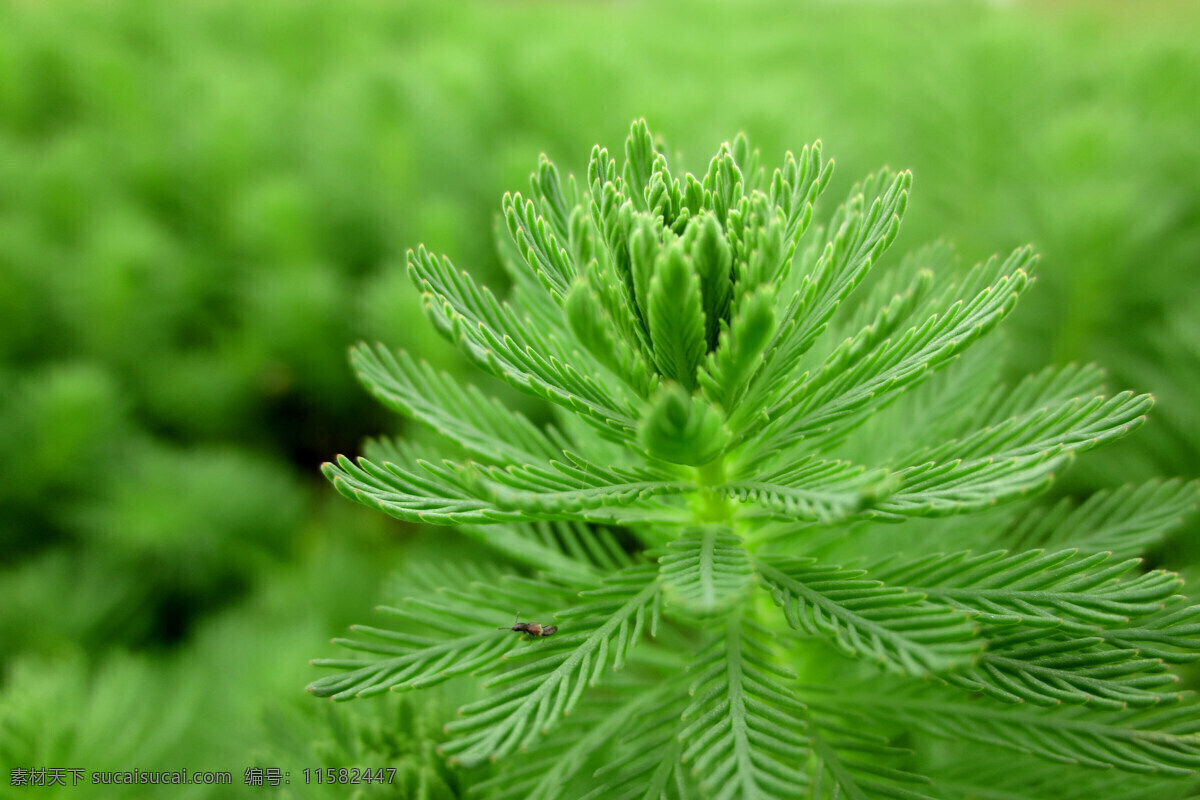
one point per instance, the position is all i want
(205, 203)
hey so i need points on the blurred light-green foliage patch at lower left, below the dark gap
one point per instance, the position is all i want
(212, 703)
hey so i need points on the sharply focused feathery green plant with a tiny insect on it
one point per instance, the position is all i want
(711, 384)
